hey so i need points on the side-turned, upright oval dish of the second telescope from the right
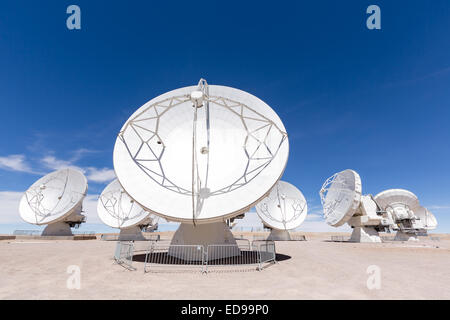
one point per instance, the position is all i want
(341, 197)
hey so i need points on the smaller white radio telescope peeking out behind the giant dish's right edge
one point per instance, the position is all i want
(284, 209)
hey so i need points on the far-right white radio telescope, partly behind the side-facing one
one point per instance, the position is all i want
(409, 218)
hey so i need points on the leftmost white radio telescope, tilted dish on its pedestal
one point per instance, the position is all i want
(56, 200)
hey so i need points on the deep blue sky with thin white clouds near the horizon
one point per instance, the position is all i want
(376, 101)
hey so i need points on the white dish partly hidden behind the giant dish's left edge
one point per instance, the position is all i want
(116, 209)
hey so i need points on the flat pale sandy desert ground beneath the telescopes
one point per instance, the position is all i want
(312, 269)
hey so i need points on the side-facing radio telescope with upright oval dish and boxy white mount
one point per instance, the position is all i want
(343, 202)
